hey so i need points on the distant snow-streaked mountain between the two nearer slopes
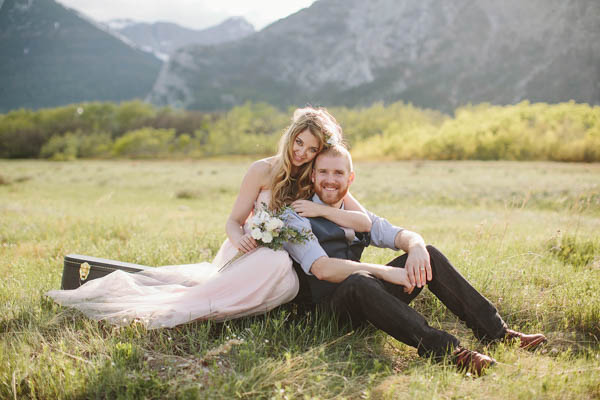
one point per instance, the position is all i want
(163, 38)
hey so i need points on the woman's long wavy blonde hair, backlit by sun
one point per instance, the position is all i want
(285, 187)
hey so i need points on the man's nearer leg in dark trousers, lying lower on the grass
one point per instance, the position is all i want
(362, 297)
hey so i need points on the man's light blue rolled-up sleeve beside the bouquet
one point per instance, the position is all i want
(305, 253)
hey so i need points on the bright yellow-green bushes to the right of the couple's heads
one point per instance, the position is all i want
(559, 132)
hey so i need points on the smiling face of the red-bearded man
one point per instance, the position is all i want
(331, 178)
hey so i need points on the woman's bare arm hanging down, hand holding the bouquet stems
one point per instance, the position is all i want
(251, 186)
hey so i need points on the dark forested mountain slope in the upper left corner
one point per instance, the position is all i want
(52, 56)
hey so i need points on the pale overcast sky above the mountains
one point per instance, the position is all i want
(190, 13)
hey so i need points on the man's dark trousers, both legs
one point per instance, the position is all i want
(364, 298)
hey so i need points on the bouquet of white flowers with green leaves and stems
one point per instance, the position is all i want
(269, 230)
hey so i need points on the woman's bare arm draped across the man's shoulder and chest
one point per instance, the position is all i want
(352, 216)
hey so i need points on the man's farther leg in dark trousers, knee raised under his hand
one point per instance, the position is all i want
(456, 293)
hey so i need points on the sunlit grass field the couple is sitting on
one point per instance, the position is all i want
(525, 234)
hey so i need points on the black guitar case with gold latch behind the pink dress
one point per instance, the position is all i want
(79, 269)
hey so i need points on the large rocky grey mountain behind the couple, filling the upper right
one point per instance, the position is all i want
(430, 53)
